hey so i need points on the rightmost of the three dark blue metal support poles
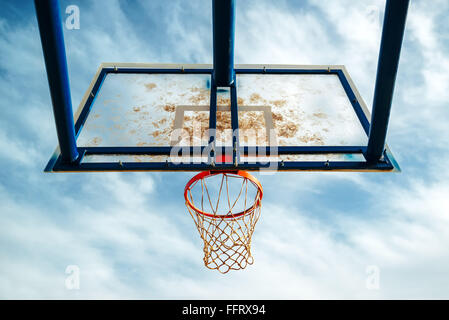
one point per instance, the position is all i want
(390, 50)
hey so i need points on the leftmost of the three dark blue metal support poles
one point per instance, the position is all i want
(52, 38)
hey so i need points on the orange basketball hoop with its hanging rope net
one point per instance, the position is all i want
(226, 232)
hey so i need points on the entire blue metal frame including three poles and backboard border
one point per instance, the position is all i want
(70, 158)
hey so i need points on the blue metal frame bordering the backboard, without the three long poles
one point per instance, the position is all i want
(385, 164)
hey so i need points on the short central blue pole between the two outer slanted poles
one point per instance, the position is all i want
(223, 20)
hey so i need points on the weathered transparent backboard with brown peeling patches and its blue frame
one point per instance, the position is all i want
(149, 117)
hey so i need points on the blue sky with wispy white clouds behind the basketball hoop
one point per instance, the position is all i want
(130, 234)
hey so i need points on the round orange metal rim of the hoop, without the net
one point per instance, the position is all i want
(205, 174)
